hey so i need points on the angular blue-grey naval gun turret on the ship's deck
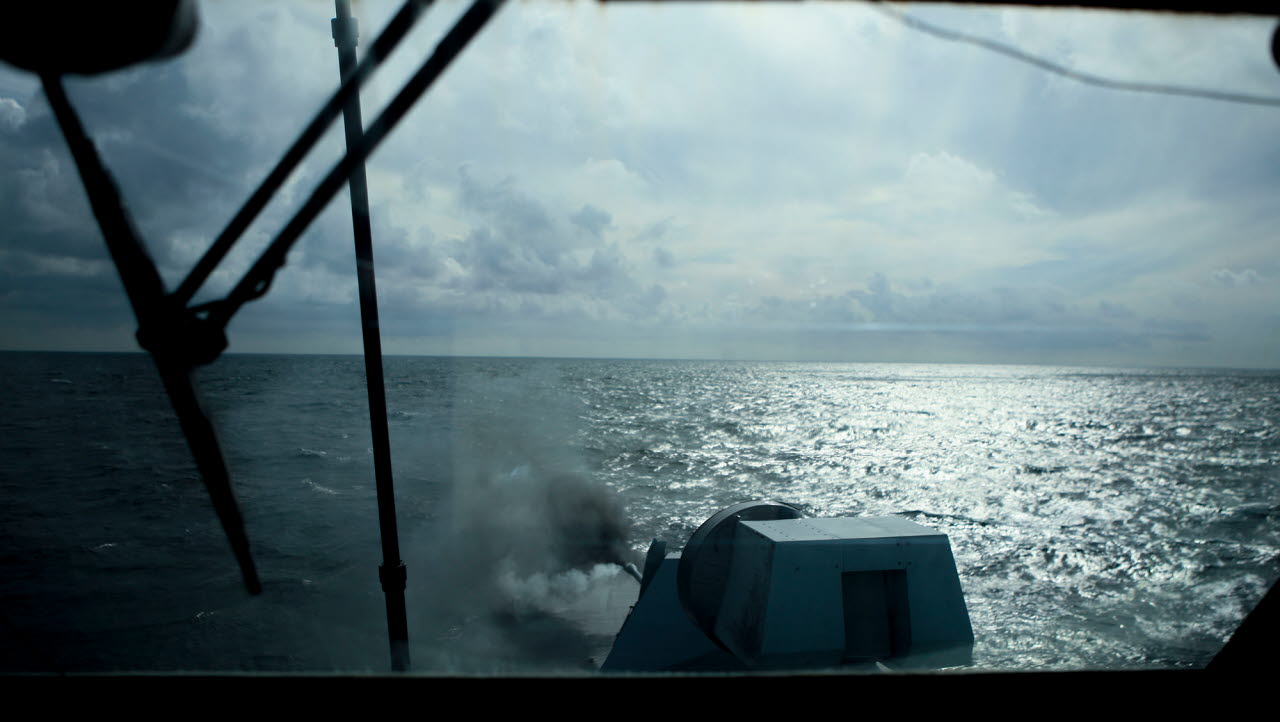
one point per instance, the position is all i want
(762, 587)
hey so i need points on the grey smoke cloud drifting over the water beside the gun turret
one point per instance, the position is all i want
(524, 542)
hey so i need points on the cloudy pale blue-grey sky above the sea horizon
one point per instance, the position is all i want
(692, 181)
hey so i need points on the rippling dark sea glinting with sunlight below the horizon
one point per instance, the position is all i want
(1100, 518)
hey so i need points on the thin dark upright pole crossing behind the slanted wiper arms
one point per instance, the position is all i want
(392, 570)
